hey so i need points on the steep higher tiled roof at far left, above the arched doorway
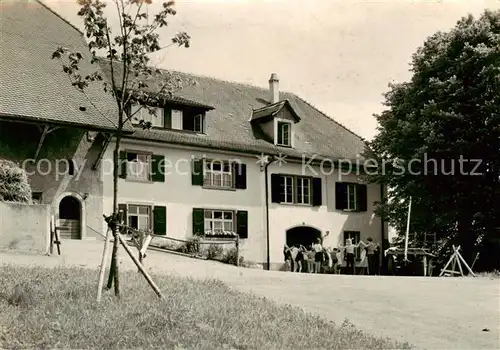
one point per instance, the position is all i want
(32, 84)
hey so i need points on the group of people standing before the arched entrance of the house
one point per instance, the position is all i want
(319, 259)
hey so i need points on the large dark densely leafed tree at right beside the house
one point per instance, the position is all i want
(447, 120)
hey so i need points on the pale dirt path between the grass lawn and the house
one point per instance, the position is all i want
(432, 313)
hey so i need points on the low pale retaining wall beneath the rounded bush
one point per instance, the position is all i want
(24, 227)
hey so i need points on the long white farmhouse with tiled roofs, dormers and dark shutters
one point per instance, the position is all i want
(221, 158)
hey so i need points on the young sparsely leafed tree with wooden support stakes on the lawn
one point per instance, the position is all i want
(127, 52)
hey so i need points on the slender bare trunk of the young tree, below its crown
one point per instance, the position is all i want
(113, 277)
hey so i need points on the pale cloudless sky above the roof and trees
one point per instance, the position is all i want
(339, 55)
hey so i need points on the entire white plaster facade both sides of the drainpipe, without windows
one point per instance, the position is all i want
(180, 196)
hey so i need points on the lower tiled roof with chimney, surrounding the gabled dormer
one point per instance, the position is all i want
(229, 127)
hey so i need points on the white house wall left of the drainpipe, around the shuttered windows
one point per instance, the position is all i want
(180, 197)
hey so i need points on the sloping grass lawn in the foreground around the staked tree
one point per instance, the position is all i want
(56, 308)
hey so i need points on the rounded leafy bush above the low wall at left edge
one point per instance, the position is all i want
(14, 186)
